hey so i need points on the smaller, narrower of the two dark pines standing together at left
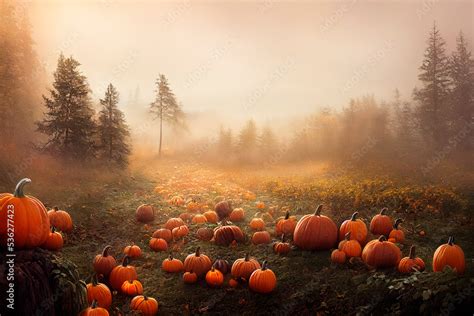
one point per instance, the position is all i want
(113, 130)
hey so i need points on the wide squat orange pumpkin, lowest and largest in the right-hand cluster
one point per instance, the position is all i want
(381, 253)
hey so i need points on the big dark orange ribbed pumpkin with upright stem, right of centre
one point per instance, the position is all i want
(315, 232)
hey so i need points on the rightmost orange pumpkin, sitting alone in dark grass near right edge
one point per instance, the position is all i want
(449, 254)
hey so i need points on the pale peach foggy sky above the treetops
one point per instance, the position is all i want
(248, 59)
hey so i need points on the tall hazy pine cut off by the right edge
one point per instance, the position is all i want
(462, 79)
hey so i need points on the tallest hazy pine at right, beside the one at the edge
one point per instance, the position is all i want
(432, 97)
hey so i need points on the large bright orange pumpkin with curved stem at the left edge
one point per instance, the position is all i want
(24, 219)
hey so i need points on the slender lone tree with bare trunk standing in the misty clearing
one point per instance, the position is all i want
(165, 107)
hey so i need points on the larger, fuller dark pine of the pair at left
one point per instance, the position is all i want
(68, 122)
